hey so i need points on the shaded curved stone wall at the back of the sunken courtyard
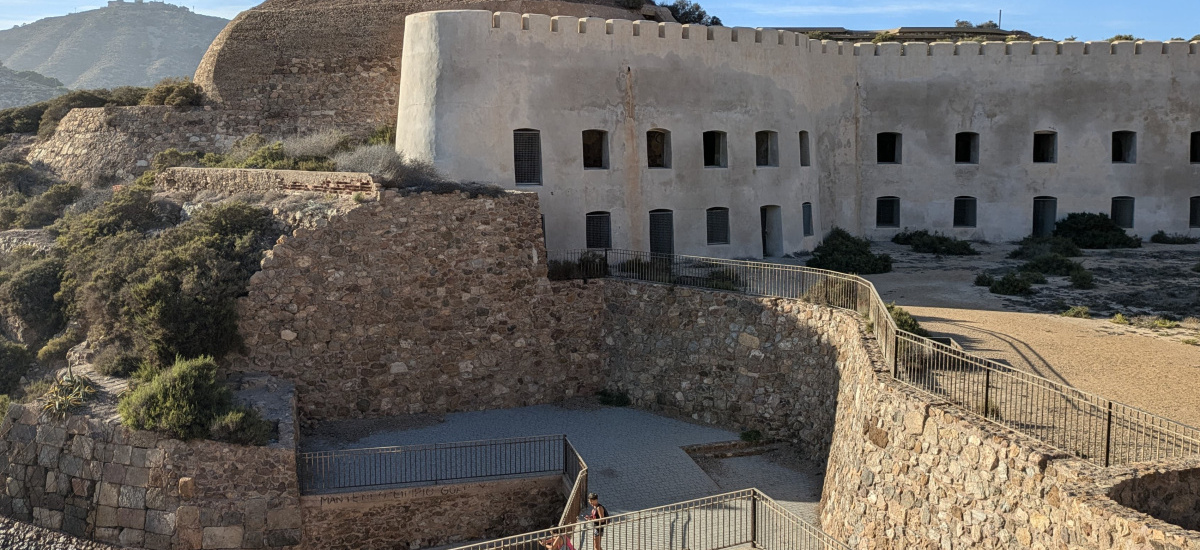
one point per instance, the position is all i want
(728, 360)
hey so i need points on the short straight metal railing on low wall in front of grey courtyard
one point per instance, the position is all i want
(436, 464)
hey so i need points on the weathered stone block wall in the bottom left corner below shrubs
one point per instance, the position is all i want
(99, 481)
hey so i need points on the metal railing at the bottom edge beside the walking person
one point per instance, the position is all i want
(735, 519)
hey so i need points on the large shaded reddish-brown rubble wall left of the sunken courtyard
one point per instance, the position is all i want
(422, 304)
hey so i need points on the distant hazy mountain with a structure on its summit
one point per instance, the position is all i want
(127, 44)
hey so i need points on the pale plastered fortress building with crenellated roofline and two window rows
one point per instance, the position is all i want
(757, 142)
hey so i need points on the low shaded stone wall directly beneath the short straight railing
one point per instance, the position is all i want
(433, 516)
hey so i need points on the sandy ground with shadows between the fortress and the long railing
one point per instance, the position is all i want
(1154, 370)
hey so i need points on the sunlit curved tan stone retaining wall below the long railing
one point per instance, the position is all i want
(907, 471)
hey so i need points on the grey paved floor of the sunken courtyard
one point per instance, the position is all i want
(634, 458)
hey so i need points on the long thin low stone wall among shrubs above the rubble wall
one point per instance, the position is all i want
(235, 181)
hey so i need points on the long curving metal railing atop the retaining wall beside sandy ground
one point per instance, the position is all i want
(1096, 429)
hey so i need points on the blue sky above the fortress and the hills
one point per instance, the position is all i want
(1085, 20)
